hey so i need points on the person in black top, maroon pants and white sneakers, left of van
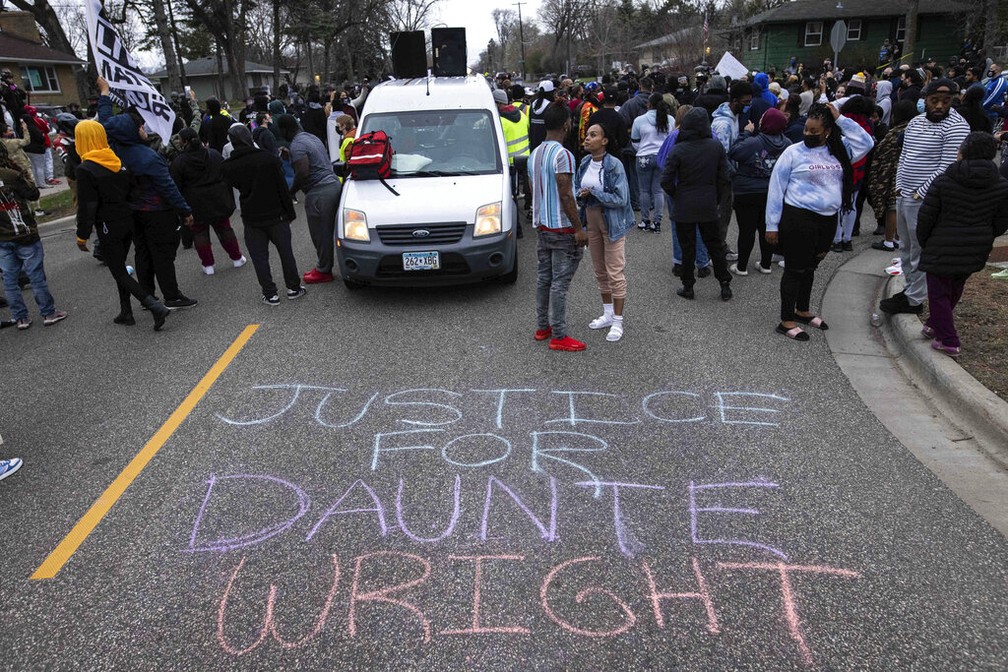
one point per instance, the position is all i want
(197, 172)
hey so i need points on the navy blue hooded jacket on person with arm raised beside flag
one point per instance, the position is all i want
(154, 191)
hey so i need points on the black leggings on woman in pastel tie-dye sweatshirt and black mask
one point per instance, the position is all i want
(805, 239)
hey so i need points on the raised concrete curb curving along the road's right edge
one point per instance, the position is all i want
(967, 404)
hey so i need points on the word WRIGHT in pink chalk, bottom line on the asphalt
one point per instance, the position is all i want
(401, 593)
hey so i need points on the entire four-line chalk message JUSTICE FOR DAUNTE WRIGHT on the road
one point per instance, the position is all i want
(665, 555)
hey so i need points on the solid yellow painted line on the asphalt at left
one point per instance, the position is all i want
(59, 558)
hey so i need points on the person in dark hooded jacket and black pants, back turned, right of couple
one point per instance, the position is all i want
(697, 177)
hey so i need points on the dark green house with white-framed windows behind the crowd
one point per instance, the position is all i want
(802, 30)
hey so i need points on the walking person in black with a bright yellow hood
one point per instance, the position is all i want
(103, 187)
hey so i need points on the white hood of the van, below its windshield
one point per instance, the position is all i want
(424, 200)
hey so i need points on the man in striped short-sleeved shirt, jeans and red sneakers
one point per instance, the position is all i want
(562, 236)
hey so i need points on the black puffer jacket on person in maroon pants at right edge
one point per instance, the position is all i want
(965, 210)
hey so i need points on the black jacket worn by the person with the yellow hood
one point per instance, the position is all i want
(102, 197)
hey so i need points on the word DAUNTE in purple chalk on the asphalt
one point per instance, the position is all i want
(625, 505)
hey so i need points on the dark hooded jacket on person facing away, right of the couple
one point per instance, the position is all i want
(697, 173)
